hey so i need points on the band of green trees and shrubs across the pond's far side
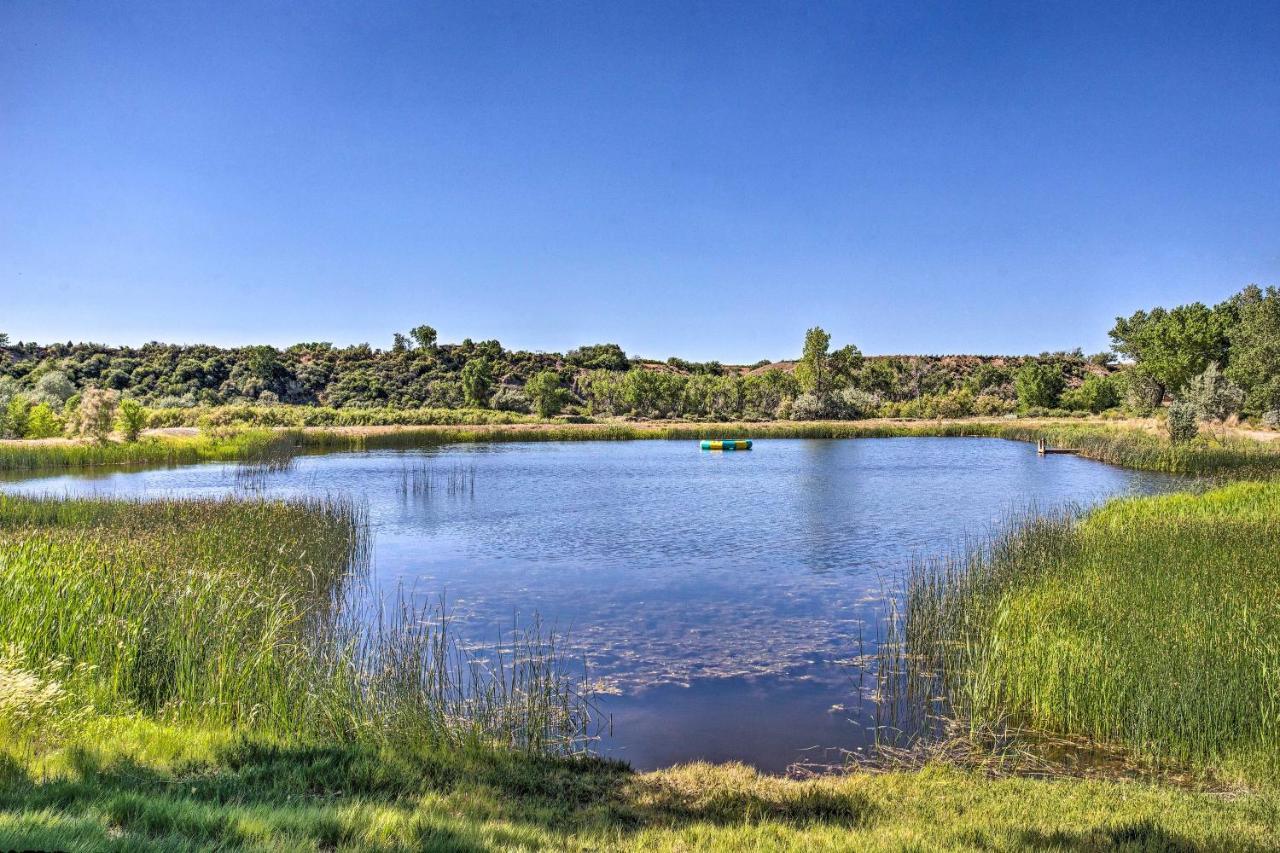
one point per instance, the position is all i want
(1220, 362)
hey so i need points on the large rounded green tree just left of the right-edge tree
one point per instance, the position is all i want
(1176, 345)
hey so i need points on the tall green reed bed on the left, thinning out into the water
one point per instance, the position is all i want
(252, 615)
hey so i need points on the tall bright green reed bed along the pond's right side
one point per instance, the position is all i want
(1153, 624)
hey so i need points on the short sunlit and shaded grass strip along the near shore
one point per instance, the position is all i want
(131, 784)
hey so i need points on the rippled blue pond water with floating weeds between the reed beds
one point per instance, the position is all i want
(717, 599)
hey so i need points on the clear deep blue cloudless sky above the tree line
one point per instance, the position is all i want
(688, 179)
